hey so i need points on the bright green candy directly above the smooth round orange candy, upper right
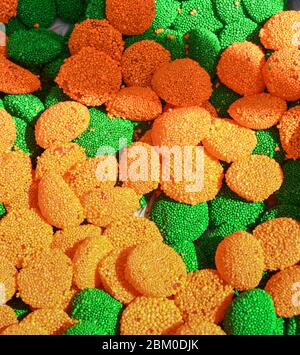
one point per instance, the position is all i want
(239, 31)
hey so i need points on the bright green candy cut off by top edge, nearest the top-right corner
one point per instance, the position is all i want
(261, 10)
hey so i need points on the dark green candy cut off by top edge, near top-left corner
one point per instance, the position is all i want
(37, 12)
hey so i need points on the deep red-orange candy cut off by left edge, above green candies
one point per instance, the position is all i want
(17, 79)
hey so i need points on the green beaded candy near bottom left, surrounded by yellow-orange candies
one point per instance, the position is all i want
(98, 307)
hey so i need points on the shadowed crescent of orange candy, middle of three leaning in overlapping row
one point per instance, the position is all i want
(111, 271)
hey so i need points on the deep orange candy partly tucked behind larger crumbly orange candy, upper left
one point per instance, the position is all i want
(98, 34)
